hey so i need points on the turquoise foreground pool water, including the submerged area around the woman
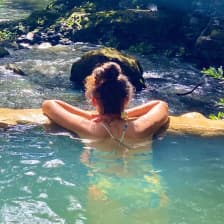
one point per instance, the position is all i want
(48, 178)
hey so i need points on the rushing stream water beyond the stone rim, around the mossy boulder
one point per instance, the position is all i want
(47, 70)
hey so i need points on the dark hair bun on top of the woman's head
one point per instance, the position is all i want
(107, 72)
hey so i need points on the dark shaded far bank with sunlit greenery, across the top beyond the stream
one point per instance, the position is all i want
(172, 27)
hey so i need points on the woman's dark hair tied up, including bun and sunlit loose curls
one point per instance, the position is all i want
(110, 87)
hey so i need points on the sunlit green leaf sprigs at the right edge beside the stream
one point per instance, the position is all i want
(217, 74)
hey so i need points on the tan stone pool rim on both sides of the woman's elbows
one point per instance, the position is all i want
(190, 123)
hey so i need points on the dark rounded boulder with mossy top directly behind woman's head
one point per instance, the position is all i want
(130, 66)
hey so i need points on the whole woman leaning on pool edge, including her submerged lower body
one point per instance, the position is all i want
(115, 185)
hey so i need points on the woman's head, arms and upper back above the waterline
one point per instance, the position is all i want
(109, 91)
